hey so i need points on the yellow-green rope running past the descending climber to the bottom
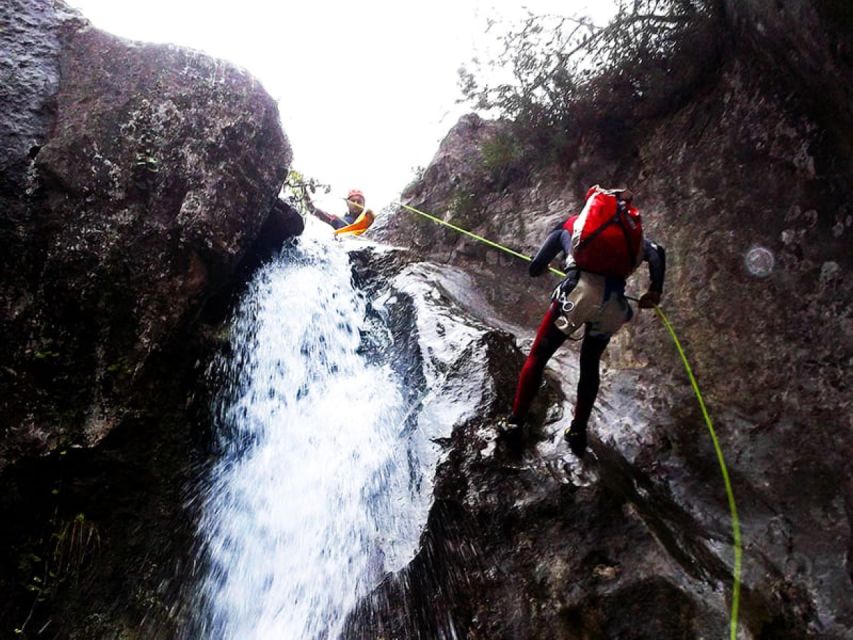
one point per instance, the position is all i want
(736, 533)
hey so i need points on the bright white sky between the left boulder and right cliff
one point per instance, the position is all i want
(366, 90)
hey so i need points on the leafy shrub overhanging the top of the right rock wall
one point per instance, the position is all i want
(569, 74)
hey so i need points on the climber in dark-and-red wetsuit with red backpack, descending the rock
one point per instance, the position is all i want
(585, 298)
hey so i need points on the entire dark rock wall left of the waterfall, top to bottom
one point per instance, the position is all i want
(134, 181)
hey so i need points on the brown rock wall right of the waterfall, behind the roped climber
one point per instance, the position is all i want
(755, 160)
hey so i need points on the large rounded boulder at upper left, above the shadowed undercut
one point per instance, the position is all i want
(135, 178)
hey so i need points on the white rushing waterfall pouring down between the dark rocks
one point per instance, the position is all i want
(315, 496)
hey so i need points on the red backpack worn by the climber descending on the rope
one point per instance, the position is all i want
(606, 239)
